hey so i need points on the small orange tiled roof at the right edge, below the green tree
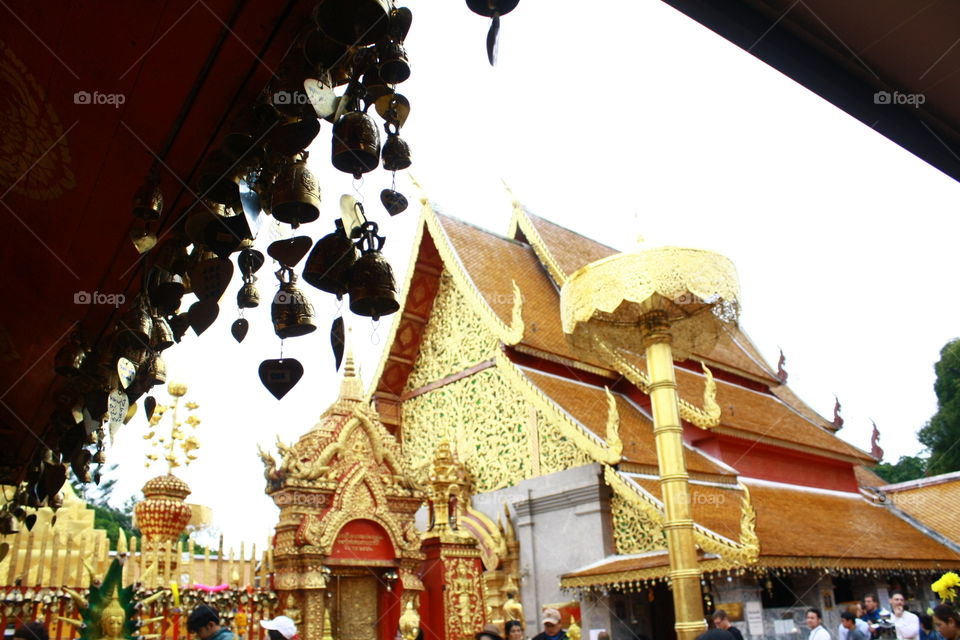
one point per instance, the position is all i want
(933, 501)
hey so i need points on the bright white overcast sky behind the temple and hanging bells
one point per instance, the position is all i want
(625, 121)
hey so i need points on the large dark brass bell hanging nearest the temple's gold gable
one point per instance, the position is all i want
(373, 290)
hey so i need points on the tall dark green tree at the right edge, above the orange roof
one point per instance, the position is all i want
(941, 435)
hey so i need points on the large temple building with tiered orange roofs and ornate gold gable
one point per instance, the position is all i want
(478, 358)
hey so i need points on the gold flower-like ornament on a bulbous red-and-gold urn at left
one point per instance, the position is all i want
(162, 516)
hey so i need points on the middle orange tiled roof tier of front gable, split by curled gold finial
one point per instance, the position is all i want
(588, 405)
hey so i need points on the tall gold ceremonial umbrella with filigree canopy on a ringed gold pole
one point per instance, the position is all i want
(674, 300)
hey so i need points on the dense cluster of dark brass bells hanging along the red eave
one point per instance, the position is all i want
(354, 44)
